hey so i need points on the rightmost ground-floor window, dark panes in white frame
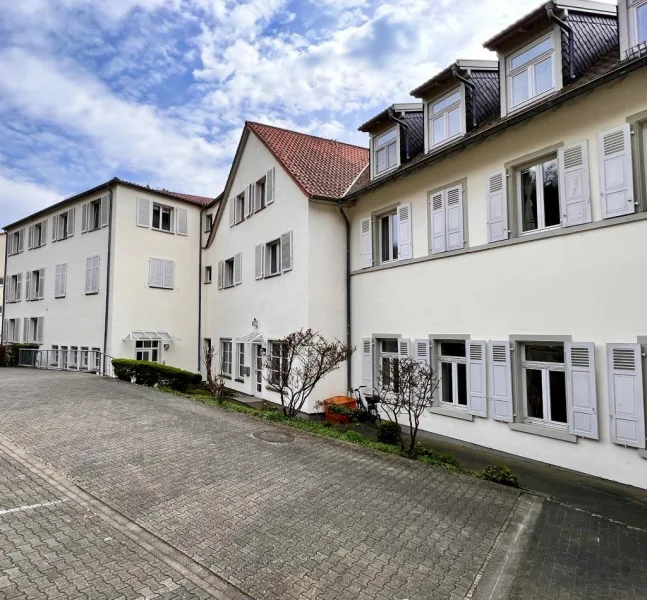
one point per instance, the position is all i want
(544, 384)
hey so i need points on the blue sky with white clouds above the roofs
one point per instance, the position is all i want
(157, 91)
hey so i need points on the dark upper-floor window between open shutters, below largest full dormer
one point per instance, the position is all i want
(538, 193)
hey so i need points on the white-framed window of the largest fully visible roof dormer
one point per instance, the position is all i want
(530, 73)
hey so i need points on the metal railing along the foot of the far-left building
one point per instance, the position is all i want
(83, 361)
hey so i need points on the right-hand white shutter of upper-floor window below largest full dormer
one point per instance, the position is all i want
(574, 181)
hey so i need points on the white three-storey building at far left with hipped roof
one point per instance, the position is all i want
(113, 270)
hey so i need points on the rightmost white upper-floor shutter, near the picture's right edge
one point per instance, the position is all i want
(616, 173)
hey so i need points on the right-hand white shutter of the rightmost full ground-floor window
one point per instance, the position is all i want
(580, 389)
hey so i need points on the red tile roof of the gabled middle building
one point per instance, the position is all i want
(319, 166)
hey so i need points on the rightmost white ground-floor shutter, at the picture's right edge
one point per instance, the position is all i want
(626, 401)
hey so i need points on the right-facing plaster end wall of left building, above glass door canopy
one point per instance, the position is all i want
(136, 306)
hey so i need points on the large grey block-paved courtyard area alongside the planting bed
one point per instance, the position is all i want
(309, 519)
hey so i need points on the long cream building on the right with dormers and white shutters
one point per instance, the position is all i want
(505, 244)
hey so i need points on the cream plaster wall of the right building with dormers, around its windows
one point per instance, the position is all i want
(587, 285)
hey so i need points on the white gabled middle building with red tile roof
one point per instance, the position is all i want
(274, 258)
